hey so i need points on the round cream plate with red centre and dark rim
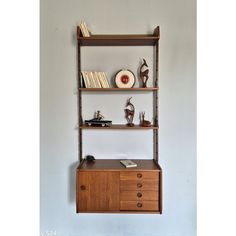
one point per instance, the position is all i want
(125, 79)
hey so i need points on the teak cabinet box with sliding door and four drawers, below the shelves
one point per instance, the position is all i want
(106, 186)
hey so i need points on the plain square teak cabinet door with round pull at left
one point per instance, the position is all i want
(98, 191)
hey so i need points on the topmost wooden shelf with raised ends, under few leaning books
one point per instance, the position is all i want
(119, 40)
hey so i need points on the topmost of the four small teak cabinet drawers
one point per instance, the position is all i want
(138, 175)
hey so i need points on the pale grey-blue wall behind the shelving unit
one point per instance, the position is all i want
(59, 141)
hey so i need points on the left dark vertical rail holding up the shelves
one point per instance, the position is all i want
(79, 104)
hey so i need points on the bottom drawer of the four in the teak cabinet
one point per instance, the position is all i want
(139, 206)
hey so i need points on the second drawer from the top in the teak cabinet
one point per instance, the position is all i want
(139, 185)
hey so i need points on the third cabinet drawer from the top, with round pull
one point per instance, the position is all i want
(139, 195)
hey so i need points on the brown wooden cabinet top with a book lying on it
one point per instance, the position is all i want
(114, 164)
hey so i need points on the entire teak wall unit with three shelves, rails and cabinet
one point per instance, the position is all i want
(105, 185)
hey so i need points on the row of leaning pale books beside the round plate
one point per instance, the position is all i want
(94, 79)
